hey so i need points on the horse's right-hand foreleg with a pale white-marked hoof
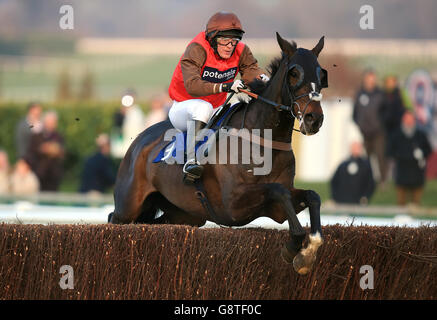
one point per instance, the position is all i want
(308, 199)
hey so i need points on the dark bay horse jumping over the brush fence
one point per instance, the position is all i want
(235, 193)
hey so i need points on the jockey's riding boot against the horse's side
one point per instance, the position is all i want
(192, 169)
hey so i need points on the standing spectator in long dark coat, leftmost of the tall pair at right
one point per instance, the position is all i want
(367, 115)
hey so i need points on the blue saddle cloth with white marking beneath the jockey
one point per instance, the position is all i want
(175, 150)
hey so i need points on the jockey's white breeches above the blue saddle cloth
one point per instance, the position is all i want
(194, 109)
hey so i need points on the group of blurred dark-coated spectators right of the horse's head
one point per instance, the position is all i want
(393, 147)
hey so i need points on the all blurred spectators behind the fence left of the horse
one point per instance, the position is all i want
(41, 151)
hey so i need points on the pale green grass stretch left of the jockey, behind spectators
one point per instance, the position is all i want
(38, 78)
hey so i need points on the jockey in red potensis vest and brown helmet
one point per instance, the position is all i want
(205, 74)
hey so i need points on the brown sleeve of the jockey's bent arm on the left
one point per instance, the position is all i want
(191, 65)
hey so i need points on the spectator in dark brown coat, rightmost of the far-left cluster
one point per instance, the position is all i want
(46, 154)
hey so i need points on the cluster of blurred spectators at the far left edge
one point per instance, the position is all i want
(40, 154)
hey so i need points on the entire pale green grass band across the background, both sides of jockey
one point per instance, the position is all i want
(37, 78)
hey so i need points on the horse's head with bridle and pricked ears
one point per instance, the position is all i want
(304, 80)
